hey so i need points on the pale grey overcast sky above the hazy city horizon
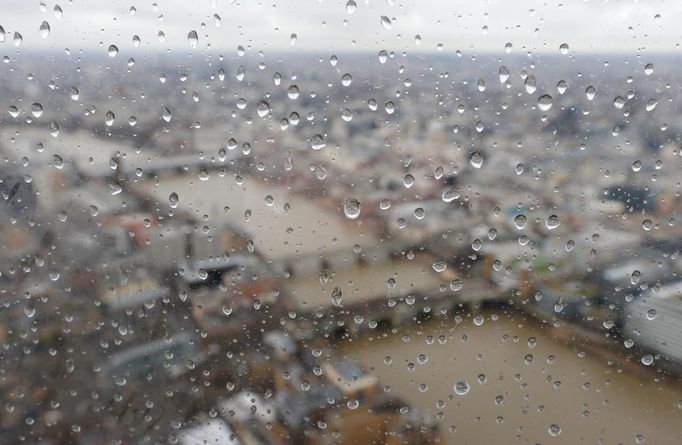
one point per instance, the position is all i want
(628, 26)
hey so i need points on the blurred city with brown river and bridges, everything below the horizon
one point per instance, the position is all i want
(240, 249)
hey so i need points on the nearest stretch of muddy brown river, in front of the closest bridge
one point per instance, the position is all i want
(591, 401)
